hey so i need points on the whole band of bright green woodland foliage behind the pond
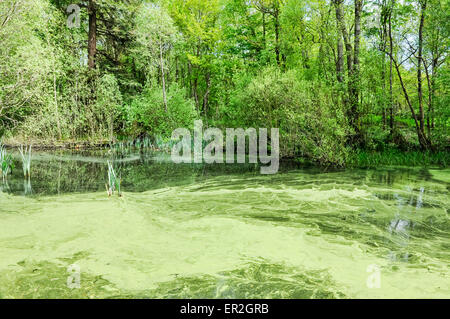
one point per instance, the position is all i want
(233, 63)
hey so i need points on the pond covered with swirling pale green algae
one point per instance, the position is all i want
(221, 231)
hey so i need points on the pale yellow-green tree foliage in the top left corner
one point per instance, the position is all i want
(24, 62)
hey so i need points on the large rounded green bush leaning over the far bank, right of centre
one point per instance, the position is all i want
(310, 120)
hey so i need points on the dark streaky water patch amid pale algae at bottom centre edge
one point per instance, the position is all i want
(257, 280)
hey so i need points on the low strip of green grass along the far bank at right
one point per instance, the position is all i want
(393, 157)
